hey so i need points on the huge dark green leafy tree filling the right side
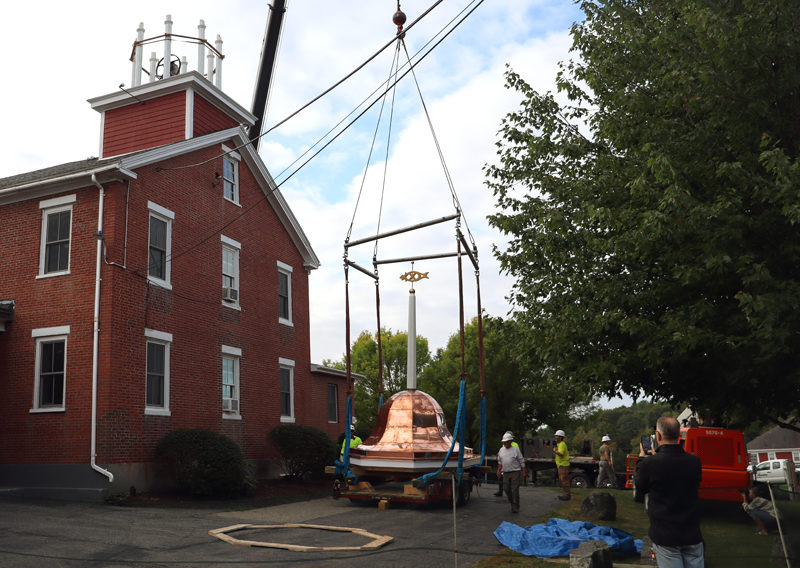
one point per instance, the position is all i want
(652, 216)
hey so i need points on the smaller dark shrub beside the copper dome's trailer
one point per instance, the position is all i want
(305, 450)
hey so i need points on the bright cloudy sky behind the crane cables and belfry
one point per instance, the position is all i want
(59, 54)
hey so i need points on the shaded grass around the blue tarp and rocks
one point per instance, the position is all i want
(727, 530)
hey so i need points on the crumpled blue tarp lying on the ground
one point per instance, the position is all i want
(558, 536)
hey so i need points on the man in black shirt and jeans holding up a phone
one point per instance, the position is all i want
(667, 482)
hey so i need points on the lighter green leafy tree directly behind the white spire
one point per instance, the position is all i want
(364, 361)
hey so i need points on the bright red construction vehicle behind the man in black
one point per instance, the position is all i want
(724, 458)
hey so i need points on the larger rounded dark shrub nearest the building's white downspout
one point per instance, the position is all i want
(203, 463)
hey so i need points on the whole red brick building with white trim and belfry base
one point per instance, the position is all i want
(163, 285)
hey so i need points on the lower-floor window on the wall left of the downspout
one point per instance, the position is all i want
(51, 368)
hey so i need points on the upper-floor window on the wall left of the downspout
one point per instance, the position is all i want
(56, 235)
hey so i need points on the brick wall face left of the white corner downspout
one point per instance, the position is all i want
(65, 300)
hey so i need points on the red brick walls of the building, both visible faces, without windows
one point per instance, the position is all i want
(192, 311)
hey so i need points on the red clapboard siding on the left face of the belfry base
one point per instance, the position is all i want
(156, 122)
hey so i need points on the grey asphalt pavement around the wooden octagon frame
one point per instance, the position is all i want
(66, 534)
